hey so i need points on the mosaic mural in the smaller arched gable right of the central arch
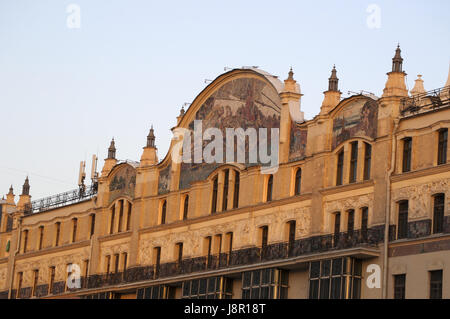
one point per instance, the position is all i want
(359, 118)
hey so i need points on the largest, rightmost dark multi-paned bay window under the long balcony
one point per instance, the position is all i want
(339, 278)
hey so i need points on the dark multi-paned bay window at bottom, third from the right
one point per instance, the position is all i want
(208, 288)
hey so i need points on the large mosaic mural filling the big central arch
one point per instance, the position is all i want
(245, 103)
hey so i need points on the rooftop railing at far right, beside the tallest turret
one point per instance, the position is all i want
(425, 102)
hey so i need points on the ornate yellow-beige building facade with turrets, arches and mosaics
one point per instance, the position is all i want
(358, 206)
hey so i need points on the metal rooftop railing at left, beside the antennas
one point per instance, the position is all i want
(62, 199)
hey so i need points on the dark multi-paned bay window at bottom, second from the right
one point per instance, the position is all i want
(265, 284)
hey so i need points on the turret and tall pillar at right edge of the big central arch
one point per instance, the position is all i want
(290, 112)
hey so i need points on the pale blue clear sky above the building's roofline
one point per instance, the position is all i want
(71, 79)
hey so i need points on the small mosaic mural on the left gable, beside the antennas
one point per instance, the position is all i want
(122, 183)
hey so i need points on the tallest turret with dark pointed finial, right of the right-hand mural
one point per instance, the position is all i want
(395, 85)
